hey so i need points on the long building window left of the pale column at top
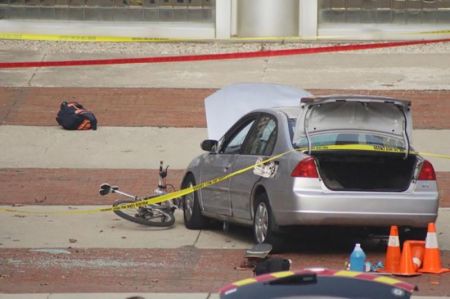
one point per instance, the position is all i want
(111, 10)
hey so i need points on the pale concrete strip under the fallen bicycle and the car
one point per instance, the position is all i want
(49, 227)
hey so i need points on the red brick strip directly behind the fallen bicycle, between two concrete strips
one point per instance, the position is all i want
(80, 186)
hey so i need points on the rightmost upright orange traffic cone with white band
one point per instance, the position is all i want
(432, 256)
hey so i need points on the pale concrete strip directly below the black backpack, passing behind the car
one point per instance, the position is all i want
(138, 148)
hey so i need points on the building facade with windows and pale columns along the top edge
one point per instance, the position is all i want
(224, 19)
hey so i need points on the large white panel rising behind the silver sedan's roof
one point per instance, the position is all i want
(227, 105)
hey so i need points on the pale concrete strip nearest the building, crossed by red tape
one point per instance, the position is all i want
(412, 67)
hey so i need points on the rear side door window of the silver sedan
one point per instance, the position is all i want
(263, 137)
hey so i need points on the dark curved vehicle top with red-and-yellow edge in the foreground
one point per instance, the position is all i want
(318, 283)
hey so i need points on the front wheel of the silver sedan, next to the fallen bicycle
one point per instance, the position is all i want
(193, 218)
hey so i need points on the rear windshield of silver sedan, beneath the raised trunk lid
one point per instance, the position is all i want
(343, 138)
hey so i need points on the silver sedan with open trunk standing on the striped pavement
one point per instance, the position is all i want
(316, 185)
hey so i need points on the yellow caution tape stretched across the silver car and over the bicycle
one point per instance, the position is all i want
(180, 193)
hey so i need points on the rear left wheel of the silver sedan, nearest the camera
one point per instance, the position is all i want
(264, 225)
